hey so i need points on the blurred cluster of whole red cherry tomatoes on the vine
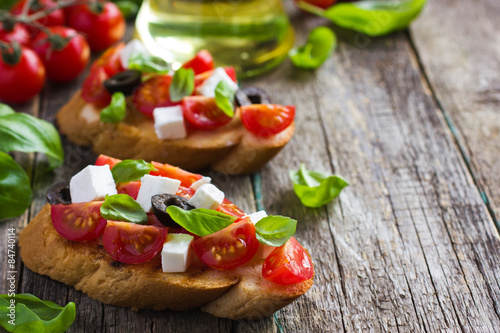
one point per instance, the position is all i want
(61, 35)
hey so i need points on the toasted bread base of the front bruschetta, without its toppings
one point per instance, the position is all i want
(235, 294)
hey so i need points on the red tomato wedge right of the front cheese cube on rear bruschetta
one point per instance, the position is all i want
(203, 113)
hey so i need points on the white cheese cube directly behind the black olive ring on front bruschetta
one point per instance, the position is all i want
(151, 185)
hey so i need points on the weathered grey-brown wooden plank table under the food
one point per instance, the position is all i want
(411, 120)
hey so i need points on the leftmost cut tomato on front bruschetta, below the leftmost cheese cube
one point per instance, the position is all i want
(78, 221)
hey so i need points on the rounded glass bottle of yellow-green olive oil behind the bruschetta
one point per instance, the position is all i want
(251, 35)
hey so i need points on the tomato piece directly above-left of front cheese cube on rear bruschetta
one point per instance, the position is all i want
(153, 93)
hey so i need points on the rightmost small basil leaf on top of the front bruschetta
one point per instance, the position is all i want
(275, 230)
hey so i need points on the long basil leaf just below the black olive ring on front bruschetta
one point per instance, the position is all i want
(200, 221)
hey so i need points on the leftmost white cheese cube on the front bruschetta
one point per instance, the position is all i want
(92, 183)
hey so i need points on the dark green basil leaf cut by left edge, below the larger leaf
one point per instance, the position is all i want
(15, 189)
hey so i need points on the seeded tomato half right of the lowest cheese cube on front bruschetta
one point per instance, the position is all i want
(228, 248)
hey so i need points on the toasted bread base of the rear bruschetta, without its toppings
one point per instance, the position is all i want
(230, 149)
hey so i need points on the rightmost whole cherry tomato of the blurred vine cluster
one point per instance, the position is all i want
(102, 23)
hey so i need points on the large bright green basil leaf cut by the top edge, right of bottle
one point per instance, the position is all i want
(376, 17)
